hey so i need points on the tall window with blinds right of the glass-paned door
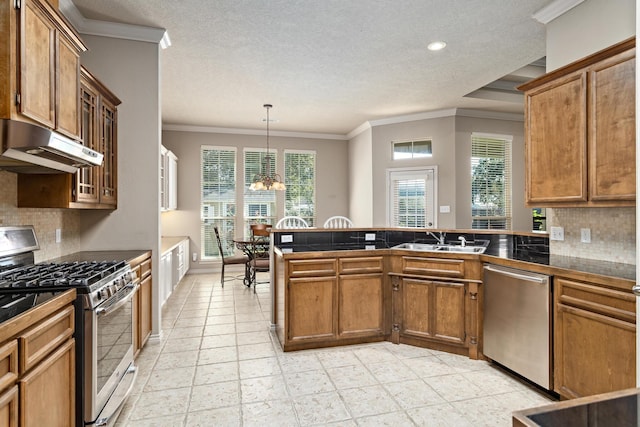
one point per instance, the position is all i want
(491, 182)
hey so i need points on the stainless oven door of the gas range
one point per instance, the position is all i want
(108, 359)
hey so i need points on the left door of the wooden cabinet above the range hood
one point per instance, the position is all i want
(38, 72)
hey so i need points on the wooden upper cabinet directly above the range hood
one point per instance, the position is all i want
(45, 70)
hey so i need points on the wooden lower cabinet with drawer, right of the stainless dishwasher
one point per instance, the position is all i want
(595, 339)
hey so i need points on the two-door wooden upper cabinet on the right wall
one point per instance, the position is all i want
(580, 132)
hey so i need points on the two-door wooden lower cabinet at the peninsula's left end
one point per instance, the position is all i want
(329, 301)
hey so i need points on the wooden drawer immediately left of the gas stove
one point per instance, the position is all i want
(36, 343)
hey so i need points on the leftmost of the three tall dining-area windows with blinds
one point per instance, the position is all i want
(217, 200)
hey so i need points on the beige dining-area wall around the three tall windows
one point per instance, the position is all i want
(332, 192)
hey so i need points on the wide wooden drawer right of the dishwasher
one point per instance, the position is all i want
(609, 302)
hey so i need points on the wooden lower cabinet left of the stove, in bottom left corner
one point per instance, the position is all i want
(37, 366)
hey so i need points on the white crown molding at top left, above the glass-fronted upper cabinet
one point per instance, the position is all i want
(113, 29)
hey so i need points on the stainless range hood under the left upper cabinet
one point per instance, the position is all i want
(28, 148)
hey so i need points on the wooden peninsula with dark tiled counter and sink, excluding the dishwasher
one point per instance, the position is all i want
(339, 287)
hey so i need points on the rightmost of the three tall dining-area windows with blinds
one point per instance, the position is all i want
(300, 179)
